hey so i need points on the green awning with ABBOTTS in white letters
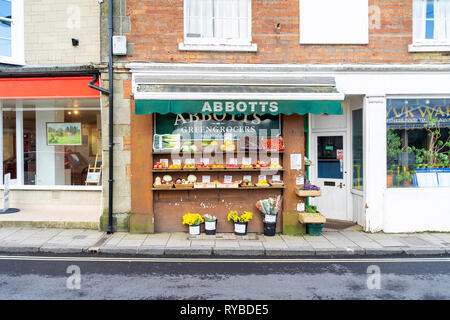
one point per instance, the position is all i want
(220, 99)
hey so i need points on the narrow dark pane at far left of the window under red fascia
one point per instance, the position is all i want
(9, 144)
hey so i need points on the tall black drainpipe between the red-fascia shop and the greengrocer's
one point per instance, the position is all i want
(110, 94)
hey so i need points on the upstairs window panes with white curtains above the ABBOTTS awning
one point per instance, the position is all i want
(217, 21)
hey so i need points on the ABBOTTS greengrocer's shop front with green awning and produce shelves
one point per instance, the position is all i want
(215, 149)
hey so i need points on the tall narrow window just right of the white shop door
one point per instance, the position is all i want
(357, 145)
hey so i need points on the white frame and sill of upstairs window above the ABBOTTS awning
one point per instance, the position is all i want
(217, 44)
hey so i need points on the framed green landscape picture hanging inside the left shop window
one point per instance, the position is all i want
(64, 134)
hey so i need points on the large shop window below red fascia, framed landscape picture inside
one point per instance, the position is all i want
(60, 139)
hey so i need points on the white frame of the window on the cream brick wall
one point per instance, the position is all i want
(17, 35)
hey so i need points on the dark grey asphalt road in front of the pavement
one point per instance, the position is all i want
(102, 277)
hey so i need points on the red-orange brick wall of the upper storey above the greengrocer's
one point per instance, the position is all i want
(157, 28)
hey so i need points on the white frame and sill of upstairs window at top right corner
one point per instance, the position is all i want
(428, 45)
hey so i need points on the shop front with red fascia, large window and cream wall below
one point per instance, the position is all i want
(50, 138)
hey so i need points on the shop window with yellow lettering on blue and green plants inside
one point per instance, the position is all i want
(418, 143)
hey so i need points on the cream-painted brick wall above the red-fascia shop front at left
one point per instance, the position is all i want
(50, 25)
